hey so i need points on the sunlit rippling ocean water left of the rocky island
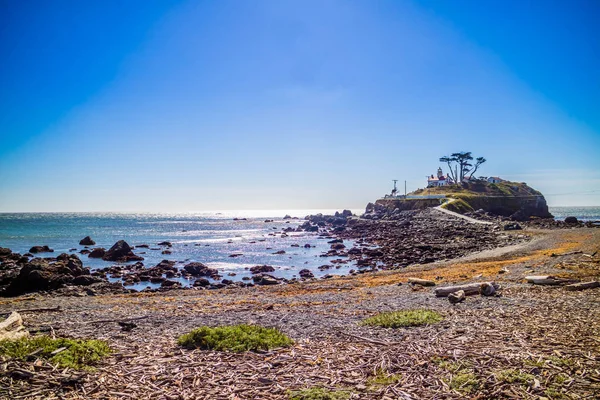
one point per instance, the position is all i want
(209, 237)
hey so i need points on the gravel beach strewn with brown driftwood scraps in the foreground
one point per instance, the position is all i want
(529, 343)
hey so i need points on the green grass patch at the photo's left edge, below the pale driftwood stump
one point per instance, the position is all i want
(78, 353)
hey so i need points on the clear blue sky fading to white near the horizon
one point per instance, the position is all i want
(204, 105)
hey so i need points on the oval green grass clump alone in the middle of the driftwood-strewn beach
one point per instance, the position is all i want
(236, 338)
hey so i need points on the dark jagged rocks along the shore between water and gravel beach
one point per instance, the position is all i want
(408, 238)
